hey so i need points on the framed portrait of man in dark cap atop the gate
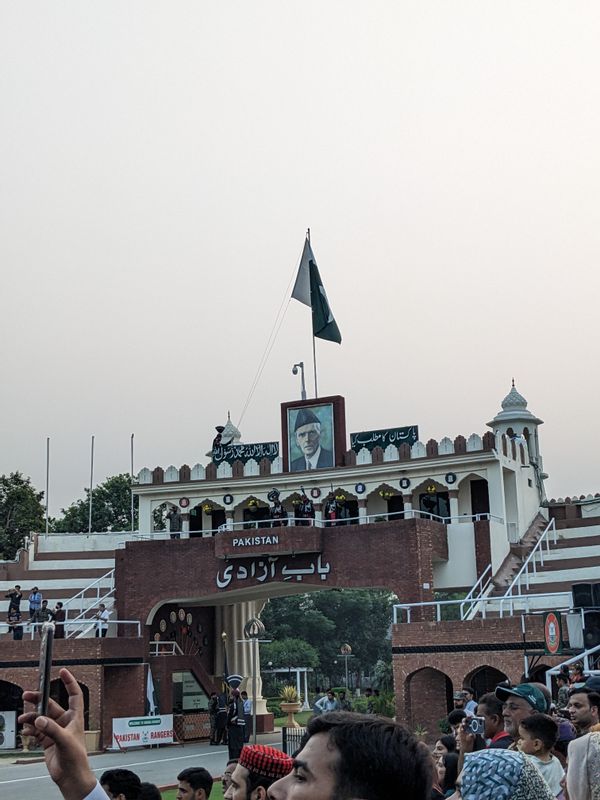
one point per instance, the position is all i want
(313, 434)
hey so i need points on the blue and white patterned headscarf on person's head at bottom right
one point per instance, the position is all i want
(500, 775)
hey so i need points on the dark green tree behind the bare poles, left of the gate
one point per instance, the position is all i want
(111, 508)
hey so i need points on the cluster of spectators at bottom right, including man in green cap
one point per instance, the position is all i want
(523, 721)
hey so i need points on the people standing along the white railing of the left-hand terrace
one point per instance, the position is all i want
(39, 612)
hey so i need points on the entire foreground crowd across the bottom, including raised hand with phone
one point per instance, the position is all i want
(505, 746)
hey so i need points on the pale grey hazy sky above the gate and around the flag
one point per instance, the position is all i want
(160, 162)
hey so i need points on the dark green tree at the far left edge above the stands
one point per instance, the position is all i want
(21, 512)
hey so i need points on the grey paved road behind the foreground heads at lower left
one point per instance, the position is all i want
(158, 765)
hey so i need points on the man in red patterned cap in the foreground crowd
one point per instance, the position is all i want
(258, 767)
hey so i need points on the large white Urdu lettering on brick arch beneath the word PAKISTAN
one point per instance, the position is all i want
(272, 568)
